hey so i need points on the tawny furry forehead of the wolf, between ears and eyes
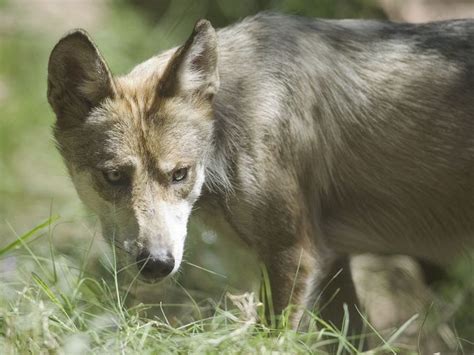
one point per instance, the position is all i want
(130, 130)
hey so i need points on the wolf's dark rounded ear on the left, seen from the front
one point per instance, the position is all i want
(78, 78)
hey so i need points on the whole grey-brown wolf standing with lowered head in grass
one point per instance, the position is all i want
(311, 140)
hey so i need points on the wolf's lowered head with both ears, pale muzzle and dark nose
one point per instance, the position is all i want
(136, 146)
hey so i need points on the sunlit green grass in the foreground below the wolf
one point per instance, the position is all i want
(53, 304)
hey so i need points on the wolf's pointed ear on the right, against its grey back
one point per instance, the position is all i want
(193, 68)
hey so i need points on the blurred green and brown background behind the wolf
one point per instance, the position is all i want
(33, 181)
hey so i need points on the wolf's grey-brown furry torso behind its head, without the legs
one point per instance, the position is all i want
(376, 118)
